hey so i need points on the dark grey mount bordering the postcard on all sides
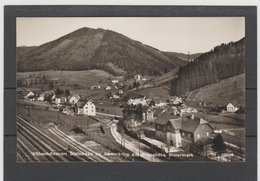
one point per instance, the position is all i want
(135, 170)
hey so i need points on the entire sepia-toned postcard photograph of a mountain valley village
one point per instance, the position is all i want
(130, 89)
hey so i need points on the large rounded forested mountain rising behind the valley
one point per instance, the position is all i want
(107, 50)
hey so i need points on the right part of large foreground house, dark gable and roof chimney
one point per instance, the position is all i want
(195, 130)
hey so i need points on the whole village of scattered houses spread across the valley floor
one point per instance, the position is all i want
(170, 127)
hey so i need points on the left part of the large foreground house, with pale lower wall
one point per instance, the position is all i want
(167, 129)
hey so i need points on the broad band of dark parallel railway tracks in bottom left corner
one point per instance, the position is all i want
(45, 148)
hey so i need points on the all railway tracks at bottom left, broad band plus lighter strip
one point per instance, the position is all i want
(45, 144)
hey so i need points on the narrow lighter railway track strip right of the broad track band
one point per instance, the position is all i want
(82, 150)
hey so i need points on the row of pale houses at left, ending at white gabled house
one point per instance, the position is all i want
(69, 105)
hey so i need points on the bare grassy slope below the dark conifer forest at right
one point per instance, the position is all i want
(225, 91)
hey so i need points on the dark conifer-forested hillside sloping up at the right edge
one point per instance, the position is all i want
(224, 61)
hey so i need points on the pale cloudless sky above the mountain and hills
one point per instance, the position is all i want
(183, 35)
